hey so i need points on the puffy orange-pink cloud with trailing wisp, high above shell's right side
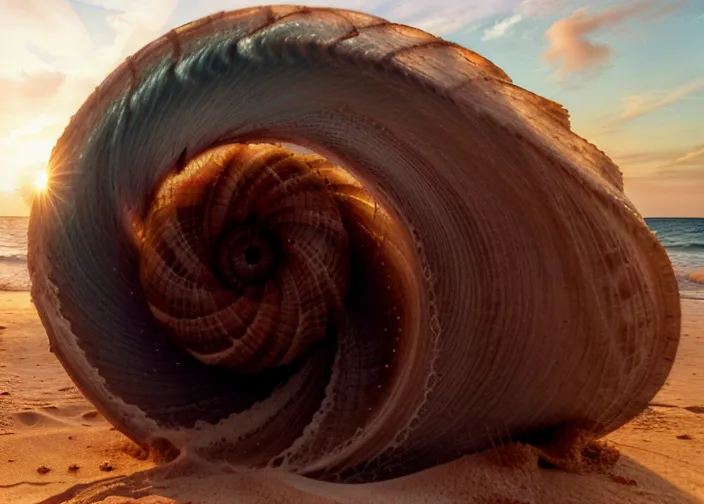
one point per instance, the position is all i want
(570, 48)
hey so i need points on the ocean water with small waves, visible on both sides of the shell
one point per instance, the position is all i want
(682, 238)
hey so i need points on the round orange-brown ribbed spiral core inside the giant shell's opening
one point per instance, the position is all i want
(244, 259)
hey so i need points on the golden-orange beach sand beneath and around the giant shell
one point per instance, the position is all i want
(46, 423)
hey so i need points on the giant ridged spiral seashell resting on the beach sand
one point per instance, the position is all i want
(467, 268)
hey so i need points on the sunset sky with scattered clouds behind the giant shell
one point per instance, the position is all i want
(631, 73)
